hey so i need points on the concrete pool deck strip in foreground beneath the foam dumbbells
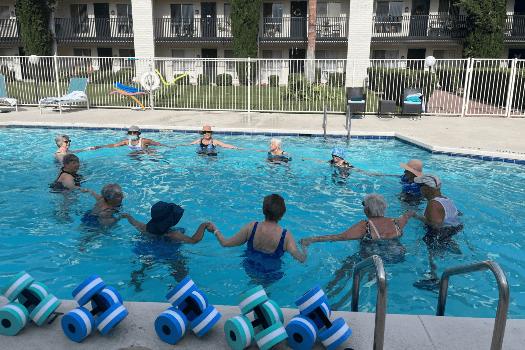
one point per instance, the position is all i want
(403, 332)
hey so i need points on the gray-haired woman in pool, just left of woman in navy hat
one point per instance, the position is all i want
(108, 204)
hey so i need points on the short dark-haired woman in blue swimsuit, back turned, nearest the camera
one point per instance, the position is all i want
(266, 242)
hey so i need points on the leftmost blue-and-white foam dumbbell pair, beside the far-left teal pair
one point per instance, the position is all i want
(105, 313)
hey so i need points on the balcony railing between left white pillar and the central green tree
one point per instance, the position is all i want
(192, 29)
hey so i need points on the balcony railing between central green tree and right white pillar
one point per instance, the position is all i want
(295, 29)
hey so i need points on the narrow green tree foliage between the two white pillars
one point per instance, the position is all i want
(245, 17)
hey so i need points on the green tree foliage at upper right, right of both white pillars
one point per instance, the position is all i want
(486, 24)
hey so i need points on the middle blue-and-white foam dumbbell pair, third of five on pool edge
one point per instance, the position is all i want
(190, 309)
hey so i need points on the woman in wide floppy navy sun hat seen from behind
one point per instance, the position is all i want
(163, 217)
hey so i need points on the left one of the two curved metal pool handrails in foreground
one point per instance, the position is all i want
(366, 266)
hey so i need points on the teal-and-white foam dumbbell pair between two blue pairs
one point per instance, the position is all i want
(261, 321)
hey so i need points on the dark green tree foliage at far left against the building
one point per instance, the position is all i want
(34, 17)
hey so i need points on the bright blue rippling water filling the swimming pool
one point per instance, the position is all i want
(40, 231)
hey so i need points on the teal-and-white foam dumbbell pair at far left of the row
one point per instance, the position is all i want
(25, 299)
